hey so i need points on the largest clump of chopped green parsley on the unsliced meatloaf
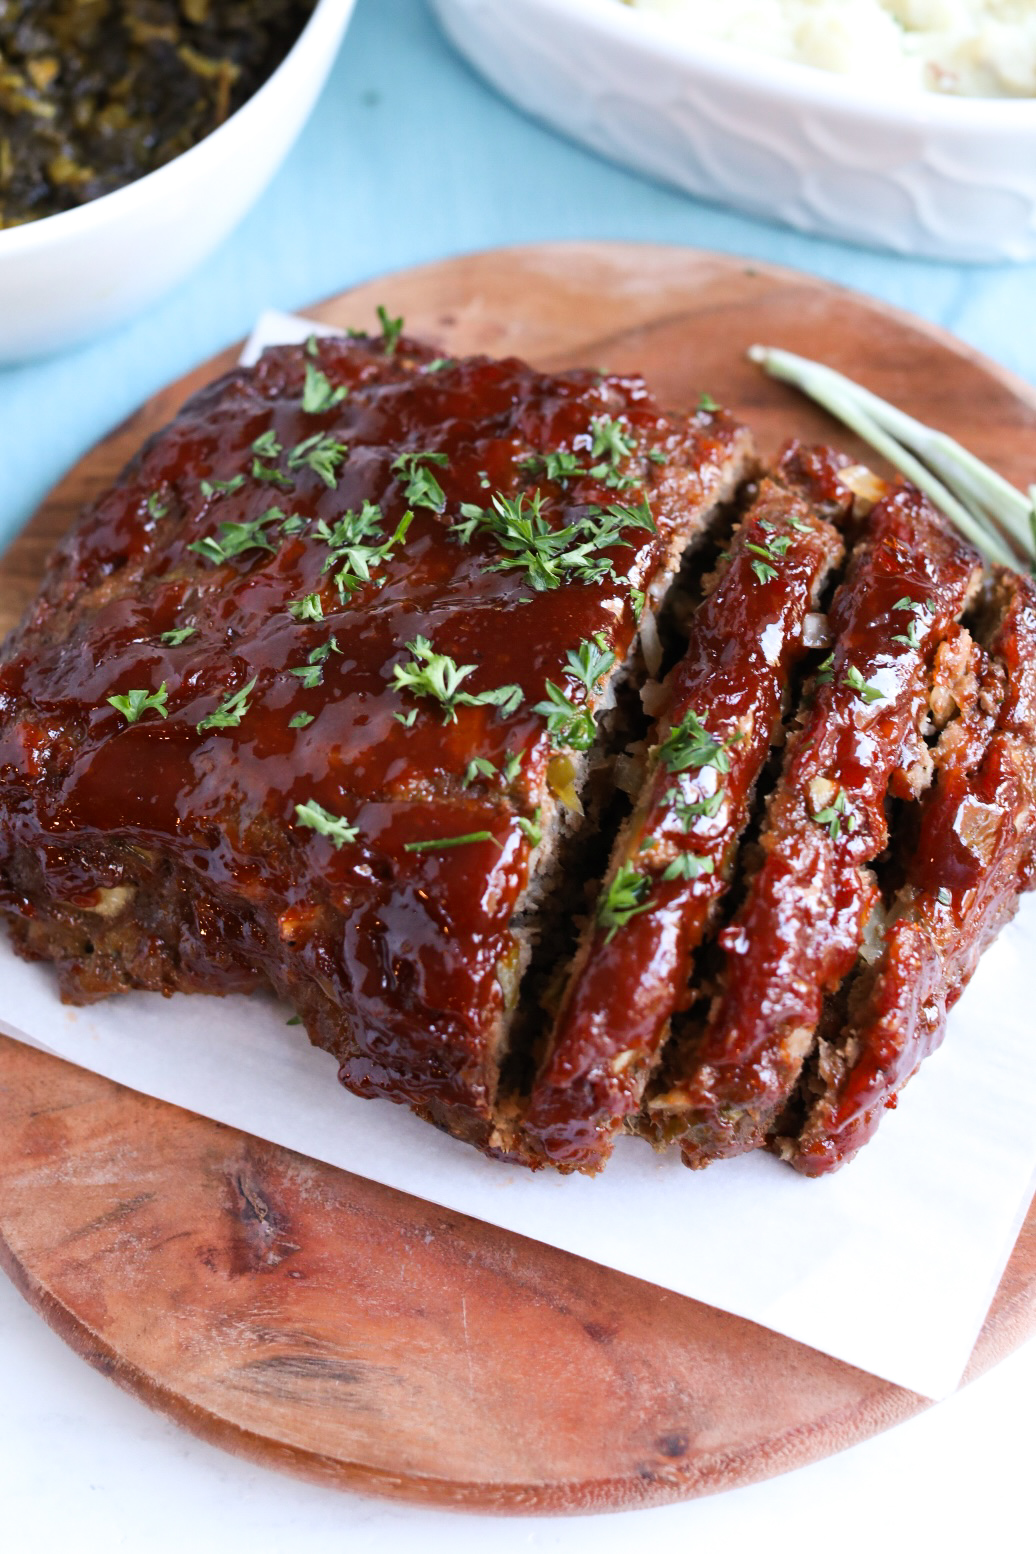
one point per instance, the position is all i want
(548, 556)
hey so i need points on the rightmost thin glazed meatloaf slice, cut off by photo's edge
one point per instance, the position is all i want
(976, 852)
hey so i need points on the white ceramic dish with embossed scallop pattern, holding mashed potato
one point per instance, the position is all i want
(925, 175)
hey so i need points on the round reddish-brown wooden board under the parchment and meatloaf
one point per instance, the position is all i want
(347, 1333)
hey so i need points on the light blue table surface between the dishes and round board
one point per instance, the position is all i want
(409, 158)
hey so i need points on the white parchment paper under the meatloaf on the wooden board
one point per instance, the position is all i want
(889, 1266)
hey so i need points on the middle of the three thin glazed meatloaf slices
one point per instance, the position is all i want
(801, 927)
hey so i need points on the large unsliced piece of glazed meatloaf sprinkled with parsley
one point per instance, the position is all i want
(304, 697)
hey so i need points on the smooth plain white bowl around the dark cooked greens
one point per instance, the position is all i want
(68, 277)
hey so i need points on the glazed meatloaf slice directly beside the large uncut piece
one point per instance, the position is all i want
(673, 860)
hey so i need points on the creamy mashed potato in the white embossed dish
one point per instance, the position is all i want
(970, 47)
